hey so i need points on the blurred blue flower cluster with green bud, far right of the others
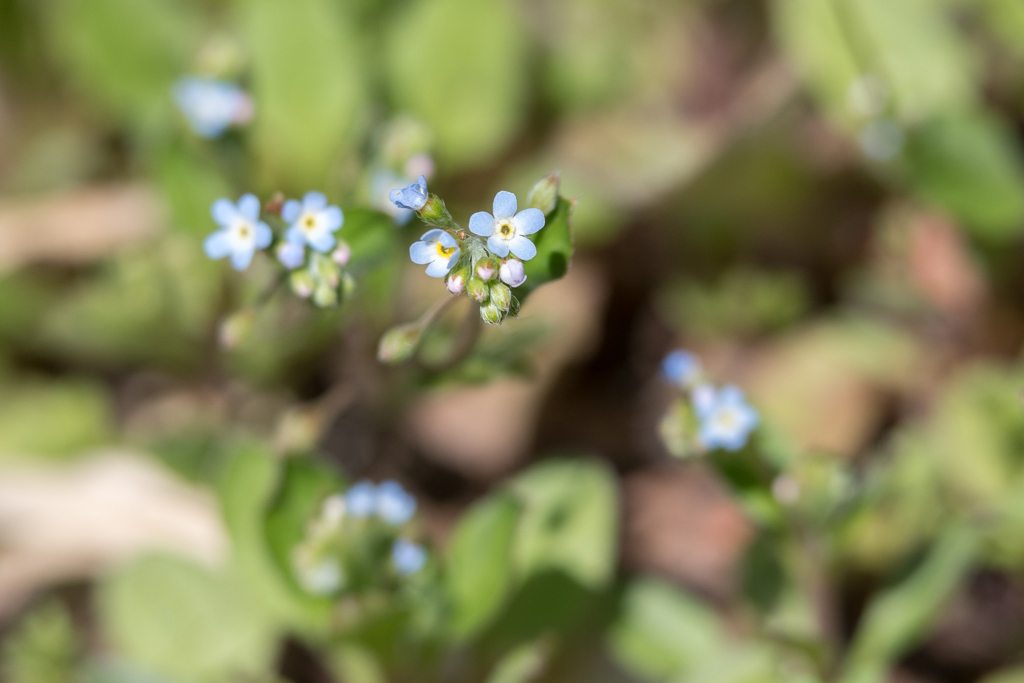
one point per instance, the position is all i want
(707, 417)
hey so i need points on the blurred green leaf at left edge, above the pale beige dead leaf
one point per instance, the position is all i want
(55, 418)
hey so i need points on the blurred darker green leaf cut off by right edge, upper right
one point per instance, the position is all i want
(972, 167)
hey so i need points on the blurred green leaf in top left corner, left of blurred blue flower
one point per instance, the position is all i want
(124, 53)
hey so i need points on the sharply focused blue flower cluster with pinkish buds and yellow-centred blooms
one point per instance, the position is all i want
(487, 264)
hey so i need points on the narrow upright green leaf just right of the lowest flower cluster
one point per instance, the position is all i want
(480, 572)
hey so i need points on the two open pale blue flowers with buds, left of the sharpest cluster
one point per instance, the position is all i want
(305, 244)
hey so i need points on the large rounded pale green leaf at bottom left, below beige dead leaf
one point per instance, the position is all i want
(185, 622)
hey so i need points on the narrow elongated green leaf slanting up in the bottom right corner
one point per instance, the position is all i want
(899, 618)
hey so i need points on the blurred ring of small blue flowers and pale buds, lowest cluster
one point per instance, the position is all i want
(360, 540)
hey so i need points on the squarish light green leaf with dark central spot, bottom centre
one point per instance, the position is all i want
(570, 521)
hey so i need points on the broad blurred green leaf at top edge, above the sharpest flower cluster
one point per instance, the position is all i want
(460, 66)
